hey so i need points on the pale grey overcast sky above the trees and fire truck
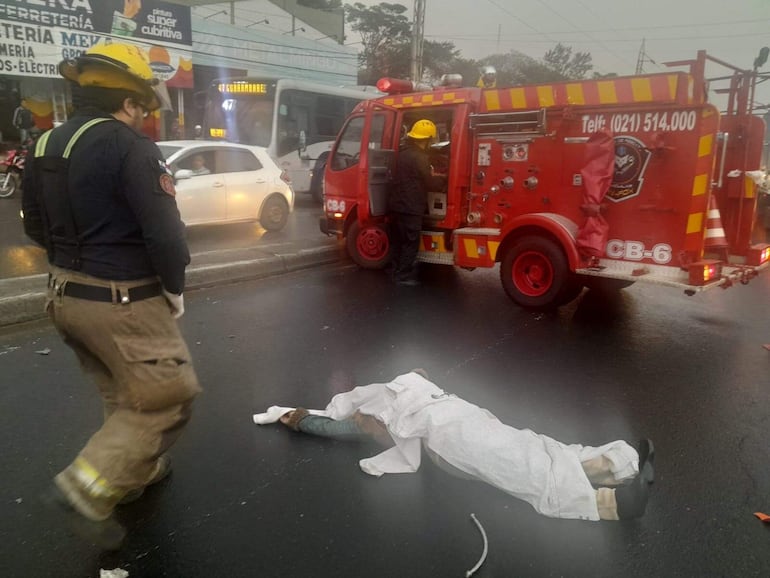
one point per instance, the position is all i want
(611, 30)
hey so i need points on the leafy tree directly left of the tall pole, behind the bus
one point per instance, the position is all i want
(384, 30)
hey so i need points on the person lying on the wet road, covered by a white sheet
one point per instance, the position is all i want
(610, 482)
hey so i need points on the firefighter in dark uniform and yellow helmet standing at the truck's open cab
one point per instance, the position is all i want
(408, 200)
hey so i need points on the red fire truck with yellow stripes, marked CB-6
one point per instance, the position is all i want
(601, 182)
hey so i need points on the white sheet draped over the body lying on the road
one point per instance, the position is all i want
(535, 468)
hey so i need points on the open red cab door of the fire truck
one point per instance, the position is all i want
(378, 156)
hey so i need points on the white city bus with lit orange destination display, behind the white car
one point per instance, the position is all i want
(296, 120)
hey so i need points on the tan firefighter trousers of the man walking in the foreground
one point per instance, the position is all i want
(143, 369)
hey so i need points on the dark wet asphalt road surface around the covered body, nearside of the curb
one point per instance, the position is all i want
(247, 500)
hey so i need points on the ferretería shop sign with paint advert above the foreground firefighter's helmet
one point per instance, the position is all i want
(35, 35)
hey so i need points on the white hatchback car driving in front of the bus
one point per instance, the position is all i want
(220, 182)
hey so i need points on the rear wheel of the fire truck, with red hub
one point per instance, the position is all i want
(535, 274)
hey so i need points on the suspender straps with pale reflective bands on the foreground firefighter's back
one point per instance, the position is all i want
(71, 235)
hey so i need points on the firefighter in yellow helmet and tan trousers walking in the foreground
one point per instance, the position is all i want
(99, 198)
